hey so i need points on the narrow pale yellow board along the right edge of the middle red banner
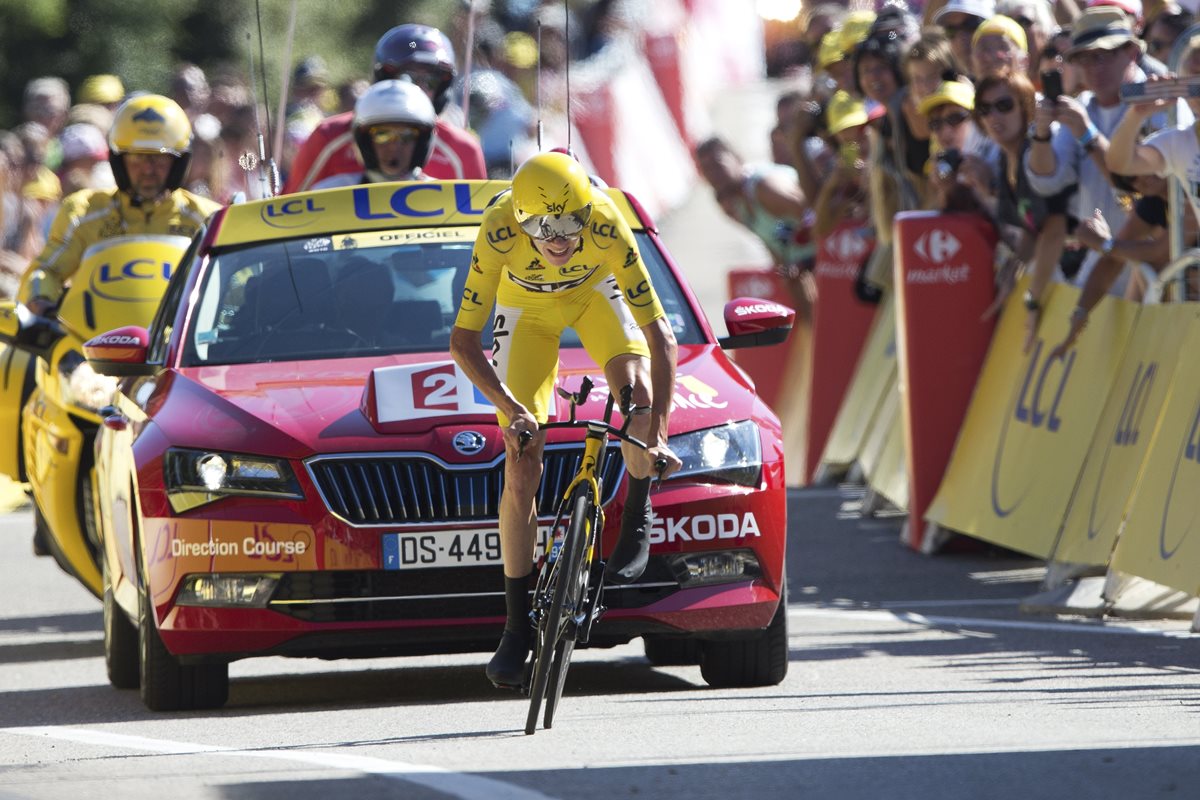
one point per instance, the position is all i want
(873, 377)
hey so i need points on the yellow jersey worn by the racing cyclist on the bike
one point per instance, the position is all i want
(507, 267)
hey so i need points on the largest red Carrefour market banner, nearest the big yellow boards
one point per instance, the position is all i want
(945, 284)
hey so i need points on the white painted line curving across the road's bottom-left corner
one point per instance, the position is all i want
(457, 785)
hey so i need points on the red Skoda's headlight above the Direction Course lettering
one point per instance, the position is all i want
(195, 478)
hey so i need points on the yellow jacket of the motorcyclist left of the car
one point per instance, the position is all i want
(89, 216)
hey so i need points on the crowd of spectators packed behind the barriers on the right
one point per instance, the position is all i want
(1060, 123)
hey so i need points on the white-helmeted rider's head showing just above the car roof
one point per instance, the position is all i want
(393, 130)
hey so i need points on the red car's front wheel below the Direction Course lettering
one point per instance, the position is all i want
(167, 685)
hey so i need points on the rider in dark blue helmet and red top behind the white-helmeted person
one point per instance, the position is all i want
(427, 57)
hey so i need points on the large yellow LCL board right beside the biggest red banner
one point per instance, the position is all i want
(1031, 422)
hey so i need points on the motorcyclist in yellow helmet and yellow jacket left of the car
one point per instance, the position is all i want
(149, 147)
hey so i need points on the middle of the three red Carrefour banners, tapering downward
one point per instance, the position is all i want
(841, 326)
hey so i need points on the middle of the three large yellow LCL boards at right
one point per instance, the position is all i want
(1124, 435)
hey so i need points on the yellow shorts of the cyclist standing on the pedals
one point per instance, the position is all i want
(525, 339)
